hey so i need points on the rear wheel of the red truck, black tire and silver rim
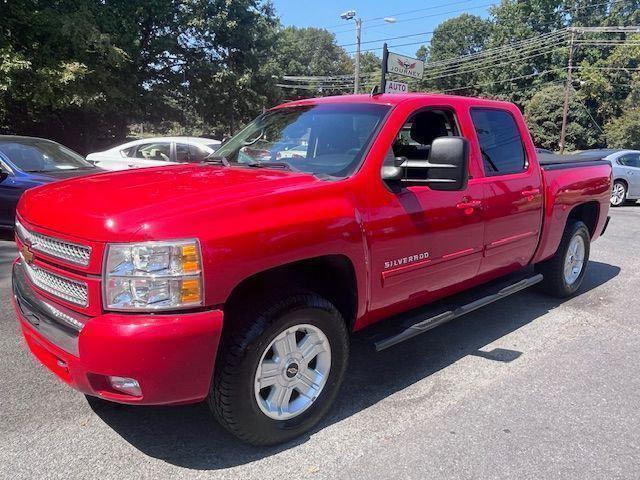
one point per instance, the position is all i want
(563, 273)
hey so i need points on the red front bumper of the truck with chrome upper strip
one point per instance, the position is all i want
(171, 356)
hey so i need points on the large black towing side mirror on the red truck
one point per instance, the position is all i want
(447, 168)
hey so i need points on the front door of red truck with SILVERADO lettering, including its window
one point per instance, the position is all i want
(422, 241)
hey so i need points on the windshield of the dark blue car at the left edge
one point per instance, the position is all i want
(37, 155)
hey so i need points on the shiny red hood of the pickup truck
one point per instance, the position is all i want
(115, 206)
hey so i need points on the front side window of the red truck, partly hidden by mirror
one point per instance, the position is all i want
(418, 133)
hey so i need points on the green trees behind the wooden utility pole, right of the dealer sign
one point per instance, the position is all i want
(606, 80)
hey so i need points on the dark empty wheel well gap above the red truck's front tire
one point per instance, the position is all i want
(331, 276)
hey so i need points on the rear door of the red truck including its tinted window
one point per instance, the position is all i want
(513, 191)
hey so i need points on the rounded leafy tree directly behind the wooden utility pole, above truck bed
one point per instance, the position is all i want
(544, 117)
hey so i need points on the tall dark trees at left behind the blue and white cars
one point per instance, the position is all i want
(81, 71)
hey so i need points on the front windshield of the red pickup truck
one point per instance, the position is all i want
(324, 140)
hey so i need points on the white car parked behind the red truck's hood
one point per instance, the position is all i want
(150, 152)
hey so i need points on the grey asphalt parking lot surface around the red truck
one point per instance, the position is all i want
(530, 387)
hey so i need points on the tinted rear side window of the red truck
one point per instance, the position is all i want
(500, 142)
